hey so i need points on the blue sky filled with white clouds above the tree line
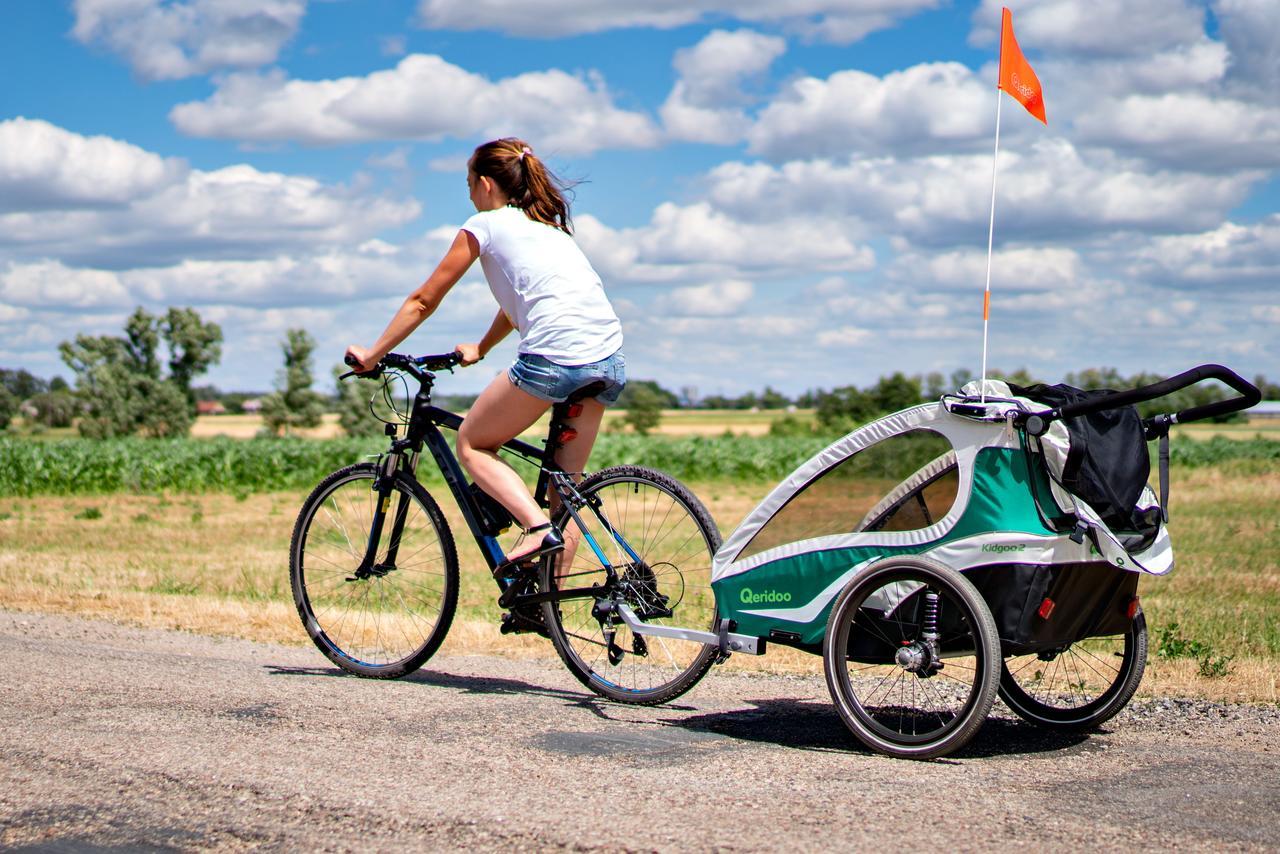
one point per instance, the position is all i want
(787, 193)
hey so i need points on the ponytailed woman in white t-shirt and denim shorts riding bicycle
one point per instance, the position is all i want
(545, 286)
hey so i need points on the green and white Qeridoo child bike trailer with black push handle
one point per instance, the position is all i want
(988, 544)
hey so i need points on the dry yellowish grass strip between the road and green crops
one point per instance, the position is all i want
(220, 565)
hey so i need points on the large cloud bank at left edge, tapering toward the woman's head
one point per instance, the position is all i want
(99, 202)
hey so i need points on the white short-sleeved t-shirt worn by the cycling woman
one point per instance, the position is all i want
(547, 289)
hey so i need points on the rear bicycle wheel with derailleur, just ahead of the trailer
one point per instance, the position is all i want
(660, 541)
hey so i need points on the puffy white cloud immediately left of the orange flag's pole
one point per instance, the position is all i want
(925, 108)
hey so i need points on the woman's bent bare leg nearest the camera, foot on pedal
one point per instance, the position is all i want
(500, 414)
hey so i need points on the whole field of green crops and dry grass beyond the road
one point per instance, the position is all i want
(195, 536)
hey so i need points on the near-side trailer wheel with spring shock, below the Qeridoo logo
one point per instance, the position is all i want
(888, 689)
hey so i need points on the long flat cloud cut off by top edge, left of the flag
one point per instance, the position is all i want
(840, 21)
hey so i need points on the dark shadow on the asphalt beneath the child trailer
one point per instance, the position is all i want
(812, 725)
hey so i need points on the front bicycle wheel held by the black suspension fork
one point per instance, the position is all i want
(383, 620)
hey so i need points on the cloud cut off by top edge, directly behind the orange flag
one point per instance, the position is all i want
(1094, 28)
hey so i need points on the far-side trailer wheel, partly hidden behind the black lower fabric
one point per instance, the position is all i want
(1052, 702)
